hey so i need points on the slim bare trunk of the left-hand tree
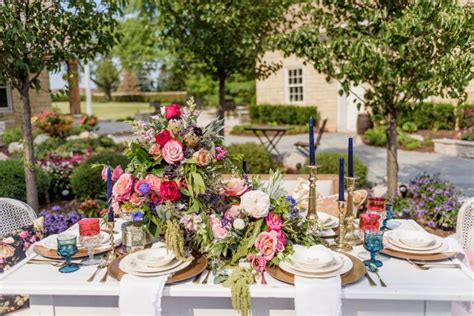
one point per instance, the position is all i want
(28, 154)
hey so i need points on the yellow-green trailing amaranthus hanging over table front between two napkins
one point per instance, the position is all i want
(239, 282)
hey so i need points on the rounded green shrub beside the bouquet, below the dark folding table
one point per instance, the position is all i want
(258, 159)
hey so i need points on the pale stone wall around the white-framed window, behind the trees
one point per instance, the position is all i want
(316, 91)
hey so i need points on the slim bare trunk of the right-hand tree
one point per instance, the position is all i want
(392, 161)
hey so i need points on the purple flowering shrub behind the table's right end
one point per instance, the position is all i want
(431, 200)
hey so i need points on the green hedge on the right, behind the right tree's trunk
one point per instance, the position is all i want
(434, 116)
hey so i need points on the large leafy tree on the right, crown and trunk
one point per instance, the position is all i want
(400, 51)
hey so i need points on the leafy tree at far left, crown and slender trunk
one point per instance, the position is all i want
(36, 36)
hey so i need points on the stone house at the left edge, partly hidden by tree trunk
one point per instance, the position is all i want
(11, 105)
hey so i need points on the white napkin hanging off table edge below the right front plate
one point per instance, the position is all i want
(318, 297)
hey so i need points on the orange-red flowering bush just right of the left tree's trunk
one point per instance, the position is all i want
(52, 123)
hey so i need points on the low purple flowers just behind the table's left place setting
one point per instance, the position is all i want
(56, 221)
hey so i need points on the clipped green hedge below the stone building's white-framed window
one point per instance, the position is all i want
(282, 114)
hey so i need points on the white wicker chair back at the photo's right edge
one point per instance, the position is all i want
(465, 225)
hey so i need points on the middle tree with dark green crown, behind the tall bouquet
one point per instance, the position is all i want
(220, 38)
